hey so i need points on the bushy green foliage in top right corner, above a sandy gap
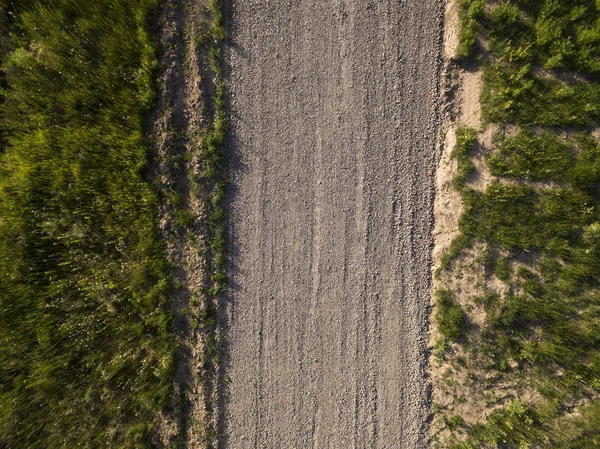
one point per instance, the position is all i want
(525, 36)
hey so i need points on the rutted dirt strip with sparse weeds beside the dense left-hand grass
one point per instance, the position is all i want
(177, 127)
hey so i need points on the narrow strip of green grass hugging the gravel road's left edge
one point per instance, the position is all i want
(214, 178)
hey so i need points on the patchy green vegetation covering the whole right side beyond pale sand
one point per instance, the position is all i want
(539, 223)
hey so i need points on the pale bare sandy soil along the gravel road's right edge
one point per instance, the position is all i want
(462, 107)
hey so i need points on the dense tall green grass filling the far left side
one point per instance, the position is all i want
(86, 353)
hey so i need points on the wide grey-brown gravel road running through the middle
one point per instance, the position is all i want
(333, 146)
